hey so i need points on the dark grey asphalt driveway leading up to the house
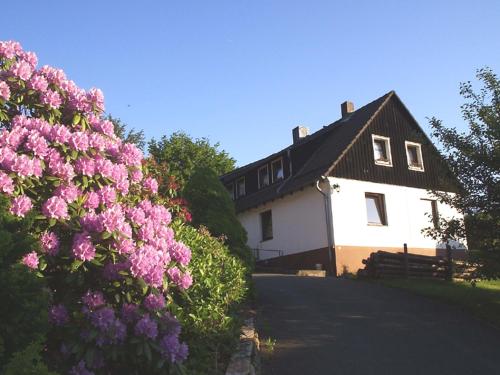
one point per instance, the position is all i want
(339, 326)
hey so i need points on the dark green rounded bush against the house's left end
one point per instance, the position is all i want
(212, 207)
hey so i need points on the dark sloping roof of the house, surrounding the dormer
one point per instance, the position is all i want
(334, 140)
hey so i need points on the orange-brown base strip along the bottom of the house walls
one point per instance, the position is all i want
(349, 258)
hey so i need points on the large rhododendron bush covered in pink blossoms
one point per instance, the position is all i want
(106, 245)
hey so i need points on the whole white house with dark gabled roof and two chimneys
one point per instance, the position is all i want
(356, 186)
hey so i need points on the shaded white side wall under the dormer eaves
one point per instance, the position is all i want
(298, 224)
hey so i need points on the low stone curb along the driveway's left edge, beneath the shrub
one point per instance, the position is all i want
(246, 360)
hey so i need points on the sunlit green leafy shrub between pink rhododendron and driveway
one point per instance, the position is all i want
(208, 309)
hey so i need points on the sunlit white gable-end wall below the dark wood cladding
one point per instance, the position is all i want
(405, 215)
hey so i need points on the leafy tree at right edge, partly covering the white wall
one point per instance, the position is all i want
(474, 158)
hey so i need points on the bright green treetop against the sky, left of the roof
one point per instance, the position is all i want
(184, 154)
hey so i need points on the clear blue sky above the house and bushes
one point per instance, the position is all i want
(244, 73)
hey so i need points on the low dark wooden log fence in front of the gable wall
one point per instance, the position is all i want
(382, 264)
